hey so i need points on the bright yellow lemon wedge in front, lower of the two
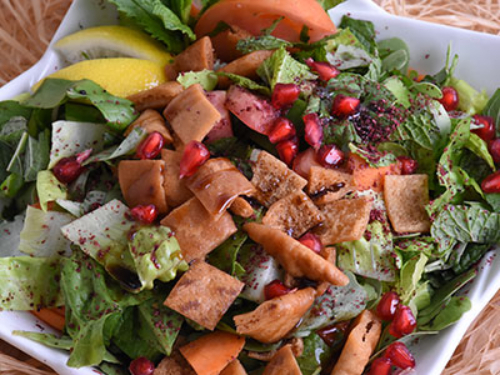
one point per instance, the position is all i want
(119, 76)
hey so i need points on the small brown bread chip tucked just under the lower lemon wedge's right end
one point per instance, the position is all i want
(157, 97)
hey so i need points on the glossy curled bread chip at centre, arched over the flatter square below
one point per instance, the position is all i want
(217, 183)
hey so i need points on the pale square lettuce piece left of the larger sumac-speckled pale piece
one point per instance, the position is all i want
(41, 235)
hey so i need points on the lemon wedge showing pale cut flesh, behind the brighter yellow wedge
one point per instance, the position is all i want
(111, 41)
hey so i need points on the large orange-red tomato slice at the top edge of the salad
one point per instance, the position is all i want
(256, 15)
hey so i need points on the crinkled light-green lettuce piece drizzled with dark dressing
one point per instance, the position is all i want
(156, 255)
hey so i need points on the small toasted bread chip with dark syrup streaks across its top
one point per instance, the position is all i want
(327, 185)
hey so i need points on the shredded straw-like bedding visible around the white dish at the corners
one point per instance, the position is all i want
(26, 27)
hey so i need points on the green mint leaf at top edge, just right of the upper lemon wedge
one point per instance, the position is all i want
(155, 17)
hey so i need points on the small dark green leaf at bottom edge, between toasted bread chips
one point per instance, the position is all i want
(316, 354)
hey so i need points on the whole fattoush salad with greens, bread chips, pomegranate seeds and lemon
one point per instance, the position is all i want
(242, 187)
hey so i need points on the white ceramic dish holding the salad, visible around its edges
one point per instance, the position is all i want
(479, 58)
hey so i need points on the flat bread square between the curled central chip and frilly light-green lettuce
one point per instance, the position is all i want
(198, 232)
